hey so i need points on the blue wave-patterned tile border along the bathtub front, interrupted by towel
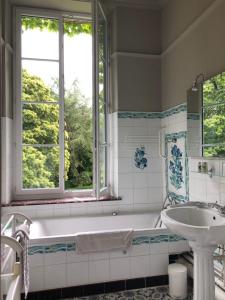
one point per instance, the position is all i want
(139, 240)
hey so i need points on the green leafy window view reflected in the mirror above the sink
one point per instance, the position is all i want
(214, 115)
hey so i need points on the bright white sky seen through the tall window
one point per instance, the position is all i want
(77, 58)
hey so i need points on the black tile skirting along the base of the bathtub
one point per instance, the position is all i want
(98, 288)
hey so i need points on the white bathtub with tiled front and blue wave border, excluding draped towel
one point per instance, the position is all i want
(55, 263)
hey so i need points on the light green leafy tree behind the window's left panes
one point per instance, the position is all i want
(40, 127)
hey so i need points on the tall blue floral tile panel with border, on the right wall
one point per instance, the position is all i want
(176, 166)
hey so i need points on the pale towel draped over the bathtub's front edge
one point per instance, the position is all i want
(101, 241)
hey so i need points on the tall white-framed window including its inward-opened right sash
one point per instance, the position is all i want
(61, 132)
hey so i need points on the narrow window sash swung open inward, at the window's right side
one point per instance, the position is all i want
(100, 51)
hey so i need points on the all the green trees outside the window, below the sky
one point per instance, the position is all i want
(41, 126)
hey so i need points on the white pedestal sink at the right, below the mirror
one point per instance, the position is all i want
(204, 228)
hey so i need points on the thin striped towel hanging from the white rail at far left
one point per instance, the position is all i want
(23, 232)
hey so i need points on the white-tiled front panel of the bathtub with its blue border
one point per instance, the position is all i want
(60, 266)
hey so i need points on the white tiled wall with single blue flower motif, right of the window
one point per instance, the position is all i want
(139, 174)
